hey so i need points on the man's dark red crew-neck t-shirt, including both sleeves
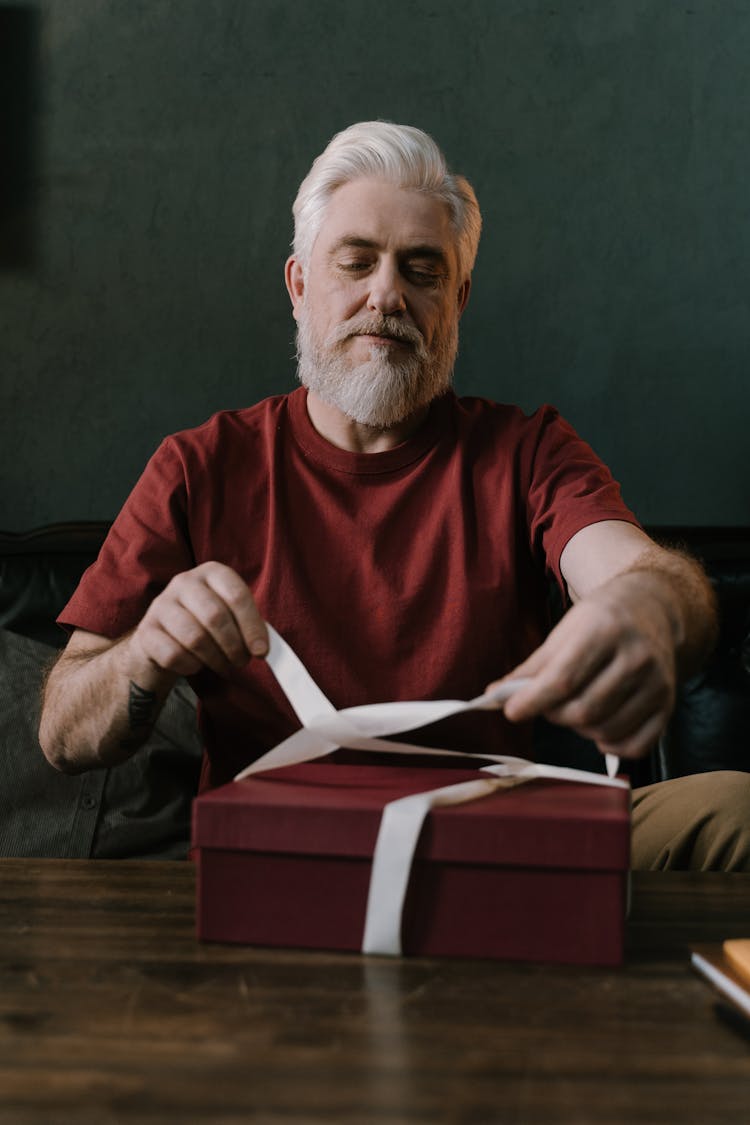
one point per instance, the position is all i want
(417, 573)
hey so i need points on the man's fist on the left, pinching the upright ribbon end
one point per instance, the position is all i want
(204, 618)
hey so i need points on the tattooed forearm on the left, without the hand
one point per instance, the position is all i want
(98, 708)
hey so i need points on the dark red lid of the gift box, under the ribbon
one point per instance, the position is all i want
(335, 811)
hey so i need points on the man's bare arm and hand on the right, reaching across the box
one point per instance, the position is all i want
(643, 618)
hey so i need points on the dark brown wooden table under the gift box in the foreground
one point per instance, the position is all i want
(112, 1012)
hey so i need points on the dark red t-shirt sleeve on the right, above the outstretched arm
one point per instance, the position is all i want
(568, 489)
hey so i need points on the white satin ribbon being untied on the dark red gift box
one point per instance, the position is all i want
(360, 728)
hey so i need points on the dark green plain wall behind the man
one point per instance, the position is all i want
(609, 143)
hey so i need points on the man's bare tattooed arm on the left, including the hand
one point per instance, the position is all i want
(103, 697)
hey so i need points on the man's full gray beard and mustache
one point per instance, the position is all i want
(384, 391)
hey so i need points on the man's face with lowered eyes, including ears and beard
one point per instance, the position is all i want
(379, 304)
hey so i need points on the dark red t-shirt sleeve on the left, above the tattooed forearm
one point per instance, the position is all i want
(147, 546)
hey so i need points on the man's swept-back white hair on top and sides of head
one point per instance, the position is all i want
(401, 155)
